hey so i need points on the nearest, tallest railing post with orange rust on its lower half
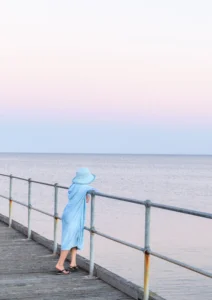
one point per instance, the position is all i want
(147, 249)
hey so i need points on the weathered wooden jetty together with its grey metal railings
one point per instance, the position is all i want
(27, 263)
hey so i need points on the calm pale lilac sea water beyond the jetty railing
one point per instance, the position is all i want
(184, 181)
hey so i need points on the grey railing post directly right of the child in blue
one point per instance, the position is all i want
(91, 271)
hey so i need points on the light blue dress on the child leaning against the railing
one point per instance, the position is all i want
(73, 217)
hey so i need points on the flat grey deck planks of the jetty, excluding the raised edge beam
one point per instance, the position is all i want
(27, 272)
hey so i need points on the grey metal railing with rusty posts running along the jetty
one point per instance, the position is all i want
(148, 206)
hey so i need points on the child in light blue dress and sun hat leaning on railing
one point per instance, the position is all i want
(73, 219)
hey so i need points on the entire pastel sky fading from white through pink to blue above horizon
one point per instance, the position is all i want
(113, 76)
